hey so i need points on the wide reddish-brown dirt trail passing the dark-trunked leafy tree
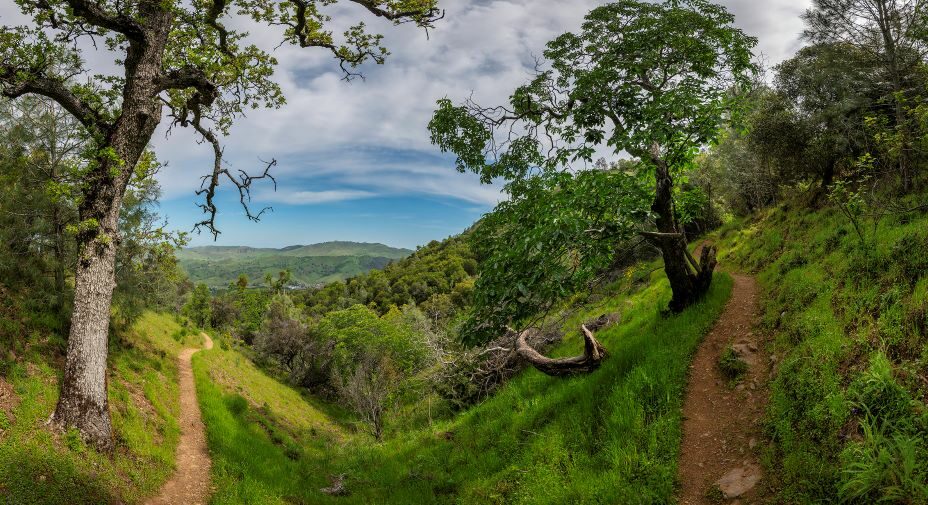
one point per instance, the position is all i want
(722, 423)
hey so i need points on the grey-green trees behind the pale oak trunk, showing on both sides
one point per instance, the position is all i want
(40, 164)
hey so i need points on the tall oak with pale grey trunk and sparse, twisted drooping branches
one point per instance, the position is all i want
(179, 61)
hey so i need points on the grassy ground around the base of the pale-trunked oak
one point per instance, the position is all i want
(44, 467)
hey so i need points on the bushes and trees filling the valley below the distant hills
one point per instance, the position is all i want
(360, 341)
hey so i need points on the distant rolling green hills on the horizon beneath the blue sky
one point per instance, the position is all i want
(217, 266)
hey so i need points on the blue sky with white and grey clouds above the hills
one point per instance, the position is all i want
(354, 159)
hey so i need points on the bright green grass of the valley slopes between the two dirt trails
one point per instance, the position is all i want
(609, 437)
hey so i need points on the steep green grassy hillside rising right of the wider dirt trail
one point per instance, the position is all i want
(849, 319)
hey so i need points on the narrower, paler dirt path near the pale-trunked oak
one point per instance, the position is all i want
(190, 484)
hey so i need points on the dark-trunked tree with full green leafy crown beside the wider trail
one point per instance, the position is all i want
(655, 80)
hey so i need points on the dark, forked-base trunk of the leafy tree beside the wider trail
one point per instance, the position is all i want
(689, 281)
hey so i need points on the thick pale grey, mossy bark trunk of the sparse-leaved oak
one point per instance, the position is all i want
(83, 402)
